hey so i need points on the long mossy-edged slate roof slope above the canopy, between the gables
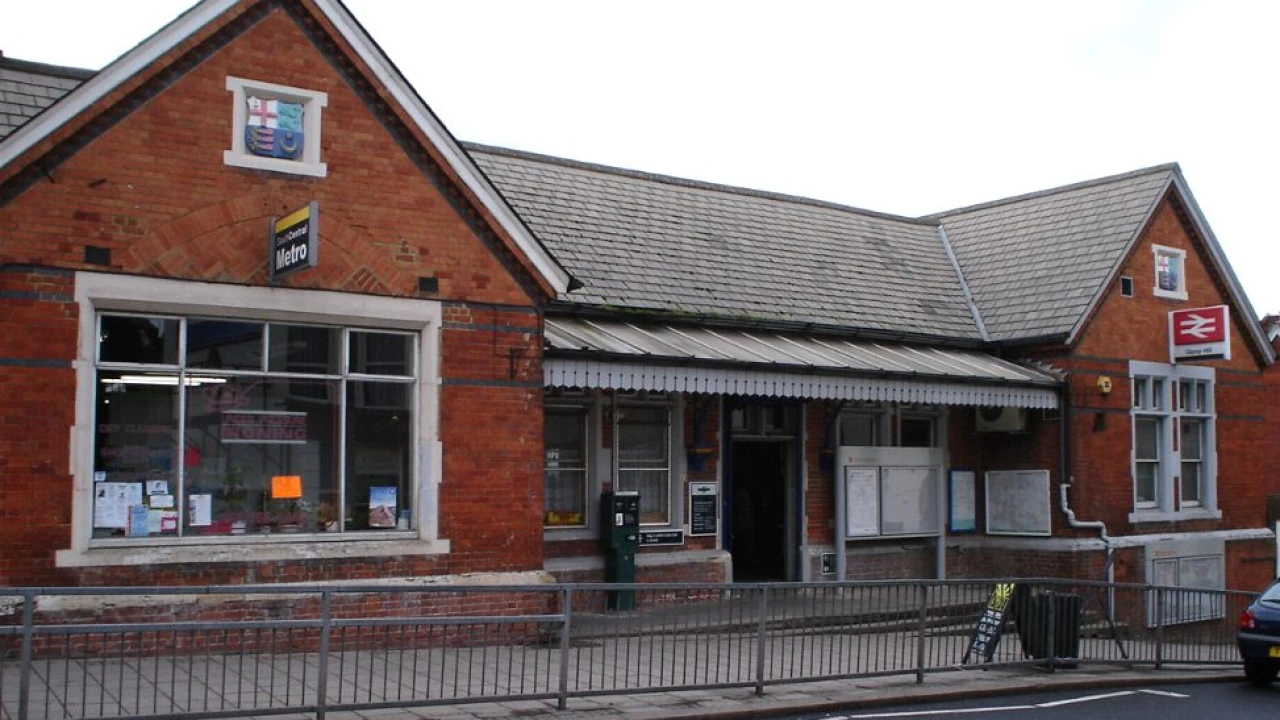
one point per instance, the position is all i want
(660, 244)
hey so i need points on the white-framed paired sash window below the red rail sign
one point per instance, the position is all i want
(1173, 462)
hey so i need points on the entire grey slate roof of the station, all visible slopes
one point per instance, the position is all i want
(1035, 265)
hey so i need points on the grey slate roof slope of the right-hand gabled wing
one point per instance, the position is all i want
(1035, 263)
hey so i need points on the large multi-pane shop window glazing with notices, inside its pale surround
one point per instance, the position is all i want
(216, 427)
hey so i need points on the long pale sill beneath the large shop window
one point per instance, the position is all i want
(250, 549)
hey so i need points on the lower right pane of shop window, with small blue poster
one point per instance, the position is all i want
(380, 452)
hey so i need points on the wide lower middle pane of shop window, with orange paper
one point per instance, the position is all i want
(262, 455)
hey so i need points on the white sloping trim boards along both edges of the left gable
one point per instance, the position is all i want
(193, 21)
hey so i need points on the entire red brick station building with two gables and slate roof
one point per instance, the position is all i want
(798, 391)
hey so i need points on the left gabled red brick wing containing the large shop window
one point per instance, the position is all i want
(175, 414)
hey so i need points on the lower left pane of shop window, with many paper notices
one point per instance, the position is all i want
(135, 455)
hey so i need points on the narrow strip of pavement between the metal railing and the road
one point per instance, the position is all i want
(813, 698)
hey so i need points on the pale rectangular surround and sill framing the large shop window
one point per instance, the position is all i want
(98, 293)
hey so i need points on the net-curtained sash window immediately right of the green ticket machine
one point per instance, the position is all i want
(643, 436)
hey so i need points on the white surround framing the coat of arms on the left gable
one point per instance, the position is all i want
(313, 106)
